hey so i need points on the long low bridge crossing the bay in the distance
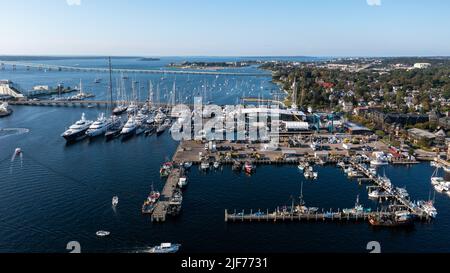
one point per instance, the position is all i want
(50, 67)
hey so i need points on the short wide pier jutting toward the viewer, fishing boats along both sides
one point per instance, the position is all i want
(161, 208)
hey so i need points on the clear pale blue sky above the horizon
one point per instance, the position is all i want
(225, 27)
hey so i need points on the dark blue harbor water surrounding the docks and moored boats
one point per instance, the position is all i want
(61, 192)
